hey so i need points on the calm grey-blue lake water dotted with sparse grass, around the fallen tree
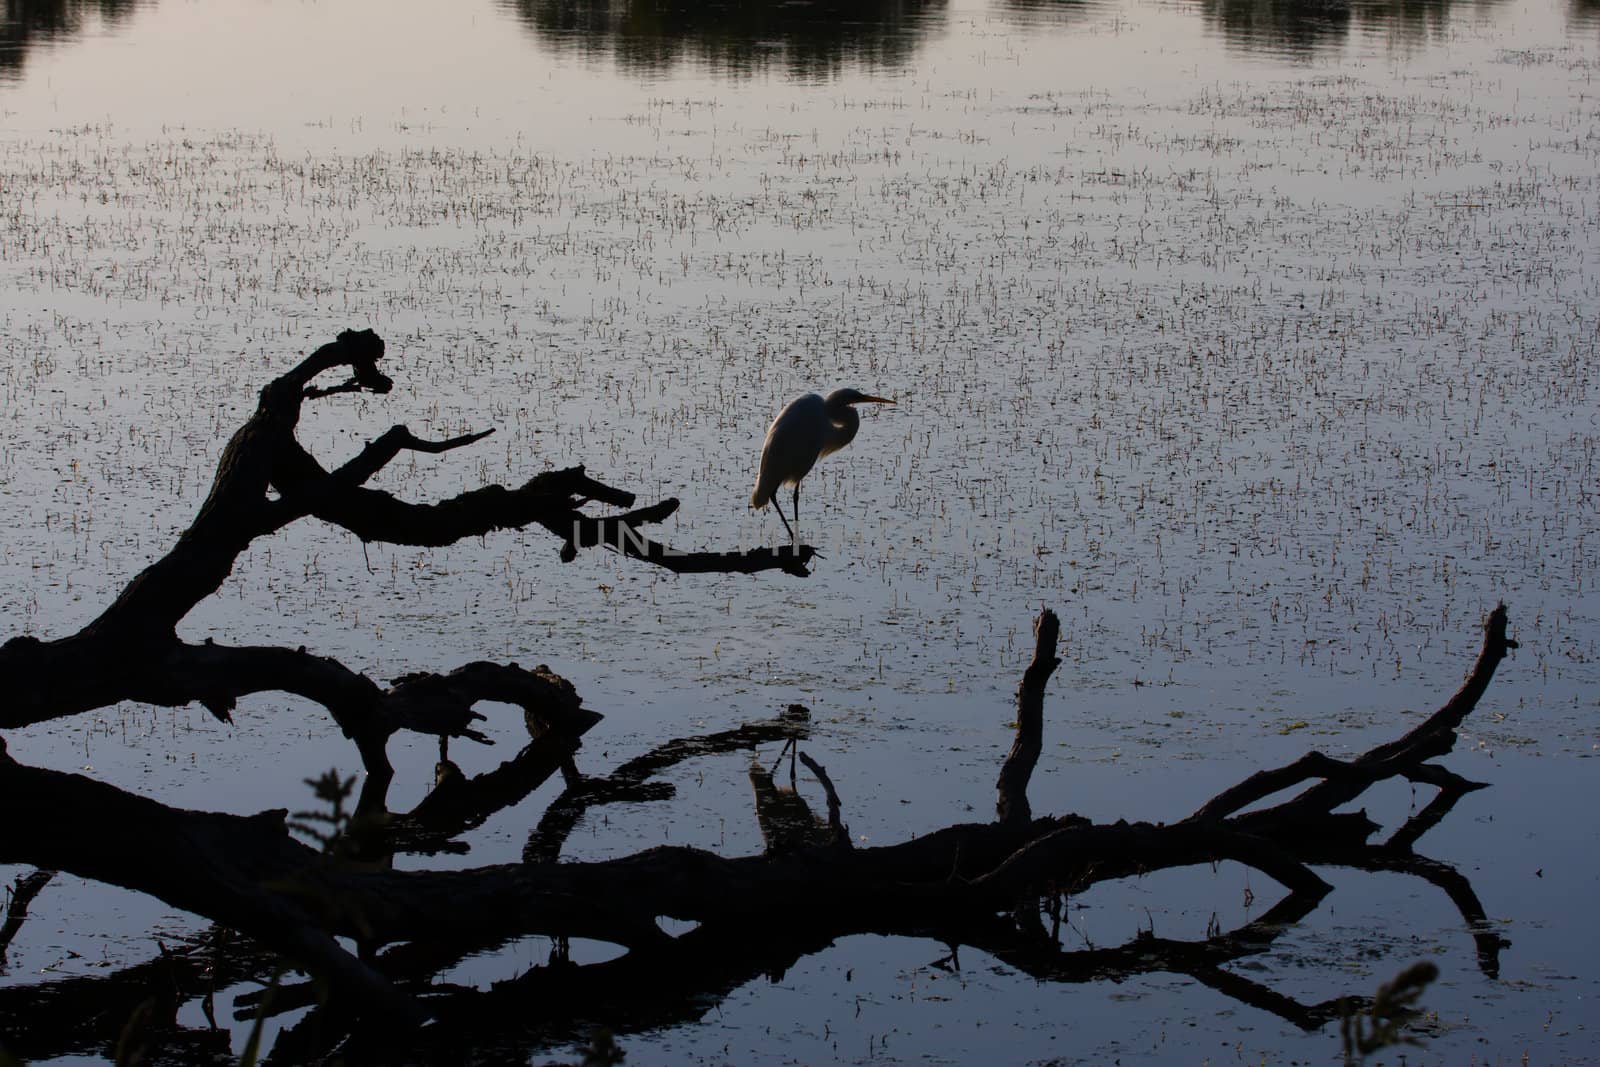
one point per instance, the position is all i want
(1258, 340)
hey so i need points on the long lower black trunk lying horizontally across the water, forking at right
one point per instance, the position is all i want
(959, 885)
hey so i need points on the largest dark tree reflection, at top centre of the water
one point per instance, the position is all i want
(809, 39)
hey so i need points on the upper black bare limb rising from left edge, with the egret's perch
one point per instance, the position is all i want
(266, 481)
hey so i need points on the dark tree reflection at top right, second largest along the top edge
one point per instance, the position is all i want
(1303, 28)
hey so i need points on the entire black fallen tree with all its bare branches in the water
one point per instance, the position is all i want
(993, 885)
